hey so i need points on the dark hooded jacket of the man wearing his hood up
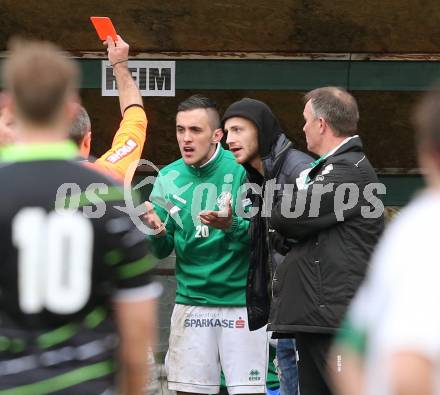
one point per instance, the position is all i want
(282, 164)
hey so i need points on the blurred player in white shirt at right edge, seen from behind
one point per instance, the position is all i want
(390, 343)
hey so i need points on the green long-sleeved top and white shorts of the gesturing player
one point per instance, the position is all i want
(211, 270)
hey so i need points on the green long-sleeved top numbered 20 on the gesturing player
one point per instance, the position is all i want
(211, 264)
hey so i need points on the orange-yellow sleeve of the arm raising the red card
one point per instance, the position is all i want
(127, 144)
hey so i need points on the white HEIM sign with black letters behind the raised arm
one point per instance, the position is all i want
(153, 77)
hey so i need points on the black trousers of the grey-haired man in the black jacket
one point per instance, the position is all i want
(313, 351)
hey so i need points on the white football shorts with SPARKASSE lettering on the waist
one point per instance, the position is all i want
(206, 340)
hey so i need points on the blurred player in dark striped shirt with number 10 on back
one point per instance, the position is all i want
(68, 276)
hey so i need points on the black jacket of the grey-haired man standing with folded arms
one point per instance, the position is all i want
(331, 243)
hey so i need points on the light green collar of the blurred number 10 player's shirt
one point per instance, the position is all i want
(42, 151)
